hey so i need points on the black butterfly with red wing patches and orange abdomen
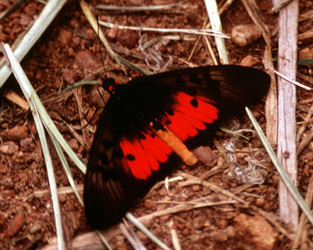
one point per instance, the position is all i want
(150, 125)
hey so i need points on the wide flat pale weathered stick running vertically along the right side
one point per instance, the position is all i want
(286, 148)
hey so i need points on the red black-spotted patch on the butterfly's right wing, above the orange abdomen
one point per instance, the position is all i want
(190, 115)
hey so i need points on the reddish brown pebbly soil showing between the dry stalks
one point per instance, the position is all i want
(69, 51)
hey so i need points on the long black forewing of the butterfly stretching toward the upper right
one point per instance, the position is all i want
(226, 84)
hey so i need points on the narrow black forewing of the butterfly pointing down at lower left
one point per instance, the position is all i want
(104, 196)
